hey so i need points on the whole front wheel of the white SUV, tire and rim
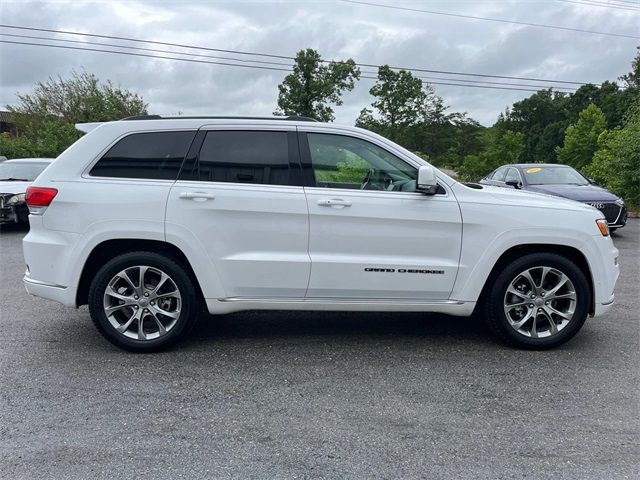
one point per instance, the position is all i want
(539, 301)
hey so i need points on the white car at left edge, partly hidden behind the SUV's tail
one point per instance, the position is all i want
(15, 176)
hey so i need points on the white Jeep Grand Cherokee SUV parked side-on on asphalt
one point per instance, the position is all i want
(148, 220)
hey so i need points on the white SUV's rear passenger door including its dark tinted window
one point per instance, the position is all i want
(239, 199)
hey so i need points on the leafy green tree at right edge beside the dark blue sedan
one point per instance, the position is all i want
(616, 164)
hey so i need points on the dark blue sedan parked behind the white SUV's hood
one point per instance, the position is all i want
(561, 181)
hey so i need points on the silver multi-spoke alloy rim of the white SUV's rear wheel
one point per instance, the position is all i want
(142, 302)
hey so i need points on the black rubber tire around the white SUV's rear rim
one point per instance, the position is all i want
(189, 301)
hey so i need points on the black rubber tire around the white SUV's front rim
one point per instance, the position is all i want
(495, 310)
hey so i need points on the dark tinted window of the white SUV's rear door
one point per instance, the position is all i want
(244, 157)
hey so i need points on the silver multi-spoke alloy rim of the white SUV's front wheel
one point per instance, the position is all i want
(540, 302)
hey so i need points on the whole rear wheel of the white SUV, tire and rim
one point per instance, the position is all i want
(143, 301)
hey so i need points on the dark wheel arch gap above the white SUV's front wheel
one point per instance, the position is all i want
(571, 253)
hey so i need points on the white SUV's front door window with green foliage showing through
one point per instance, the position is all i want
(347, 162)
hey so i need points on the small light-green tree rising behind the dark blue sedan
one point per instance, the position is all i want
(581, 138)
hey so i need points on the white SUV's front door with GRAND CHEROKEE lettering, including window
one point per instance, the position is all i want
(372, 236)
